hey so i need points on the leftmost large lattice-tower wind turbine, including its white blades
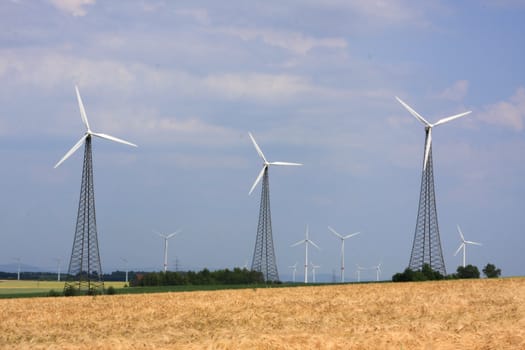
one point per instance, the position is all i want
(85, 258)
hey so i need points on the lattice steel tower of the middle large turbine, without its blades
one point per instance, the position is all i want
(264, 253)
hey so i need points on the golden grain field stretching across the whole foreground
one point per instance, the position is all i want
(476, 314)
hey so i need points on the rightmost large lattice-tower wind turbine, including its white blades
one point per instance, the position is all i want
(426, 247)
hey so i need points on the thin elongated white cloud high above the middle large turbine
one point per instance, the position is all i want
(291, 41)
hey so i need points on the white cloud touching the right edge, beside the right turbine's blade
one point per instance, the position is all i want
(509, 113)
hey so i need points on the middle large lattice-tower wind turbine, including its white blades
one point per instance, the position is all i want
(264, 253)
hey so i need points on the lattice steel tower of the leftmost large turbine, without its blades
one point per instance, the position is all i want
(85, 269)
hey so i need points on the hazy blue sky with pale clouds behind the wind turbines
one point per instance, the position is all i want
(314, 81)
